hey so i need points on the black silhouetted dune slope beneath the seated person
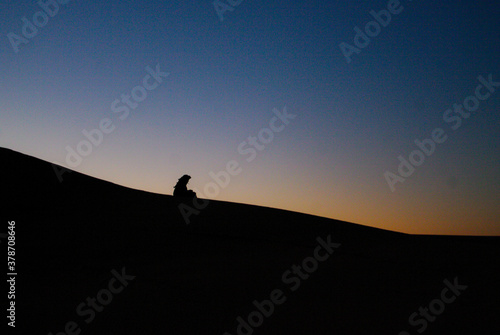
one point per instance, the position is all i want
(198, 278)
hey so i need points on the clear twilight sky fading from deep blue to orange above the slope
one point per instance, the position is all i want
(379, 113)
